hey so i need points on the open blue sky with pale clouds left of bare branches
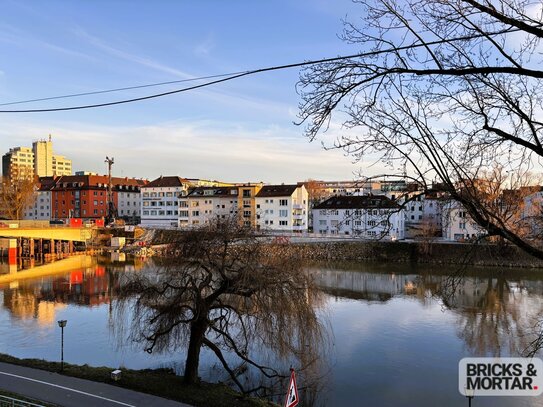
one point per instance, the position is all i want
(242, 130)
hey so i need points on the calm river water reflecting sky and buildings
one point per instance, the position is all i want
(393, 341)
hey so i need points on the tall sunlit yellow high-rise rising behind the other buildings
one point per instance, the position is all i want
(25, 163)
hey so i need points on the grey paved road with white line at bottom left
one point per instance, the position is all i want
(72, 392)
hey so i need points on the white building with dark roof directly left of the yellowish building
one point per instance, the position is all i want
(203, 204)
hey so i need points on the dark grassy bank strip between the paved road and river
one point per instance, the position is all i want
(159, 382)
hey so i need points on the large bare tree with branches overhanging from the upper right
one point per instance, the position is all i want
(443, 90)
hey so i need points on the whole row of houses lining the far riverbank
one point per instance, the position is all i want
(386, 210)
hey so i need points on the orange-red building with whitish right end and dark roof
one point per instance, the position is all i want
(85, 196)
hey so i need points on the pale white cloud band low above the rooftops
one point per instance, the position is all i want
(199, 150)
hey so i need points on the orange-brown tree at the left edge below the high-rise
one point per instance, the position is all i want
(15, 196)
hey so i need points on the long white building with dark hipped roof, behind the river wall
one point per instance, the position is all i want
(370, 217)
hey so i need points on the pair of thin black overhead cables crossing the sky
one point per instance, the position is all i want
(229, 77)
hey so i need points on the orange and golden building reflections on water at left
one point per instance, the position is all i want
(40, 299)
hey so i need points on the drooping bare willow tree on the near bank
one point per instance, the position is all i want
(231, 293)
